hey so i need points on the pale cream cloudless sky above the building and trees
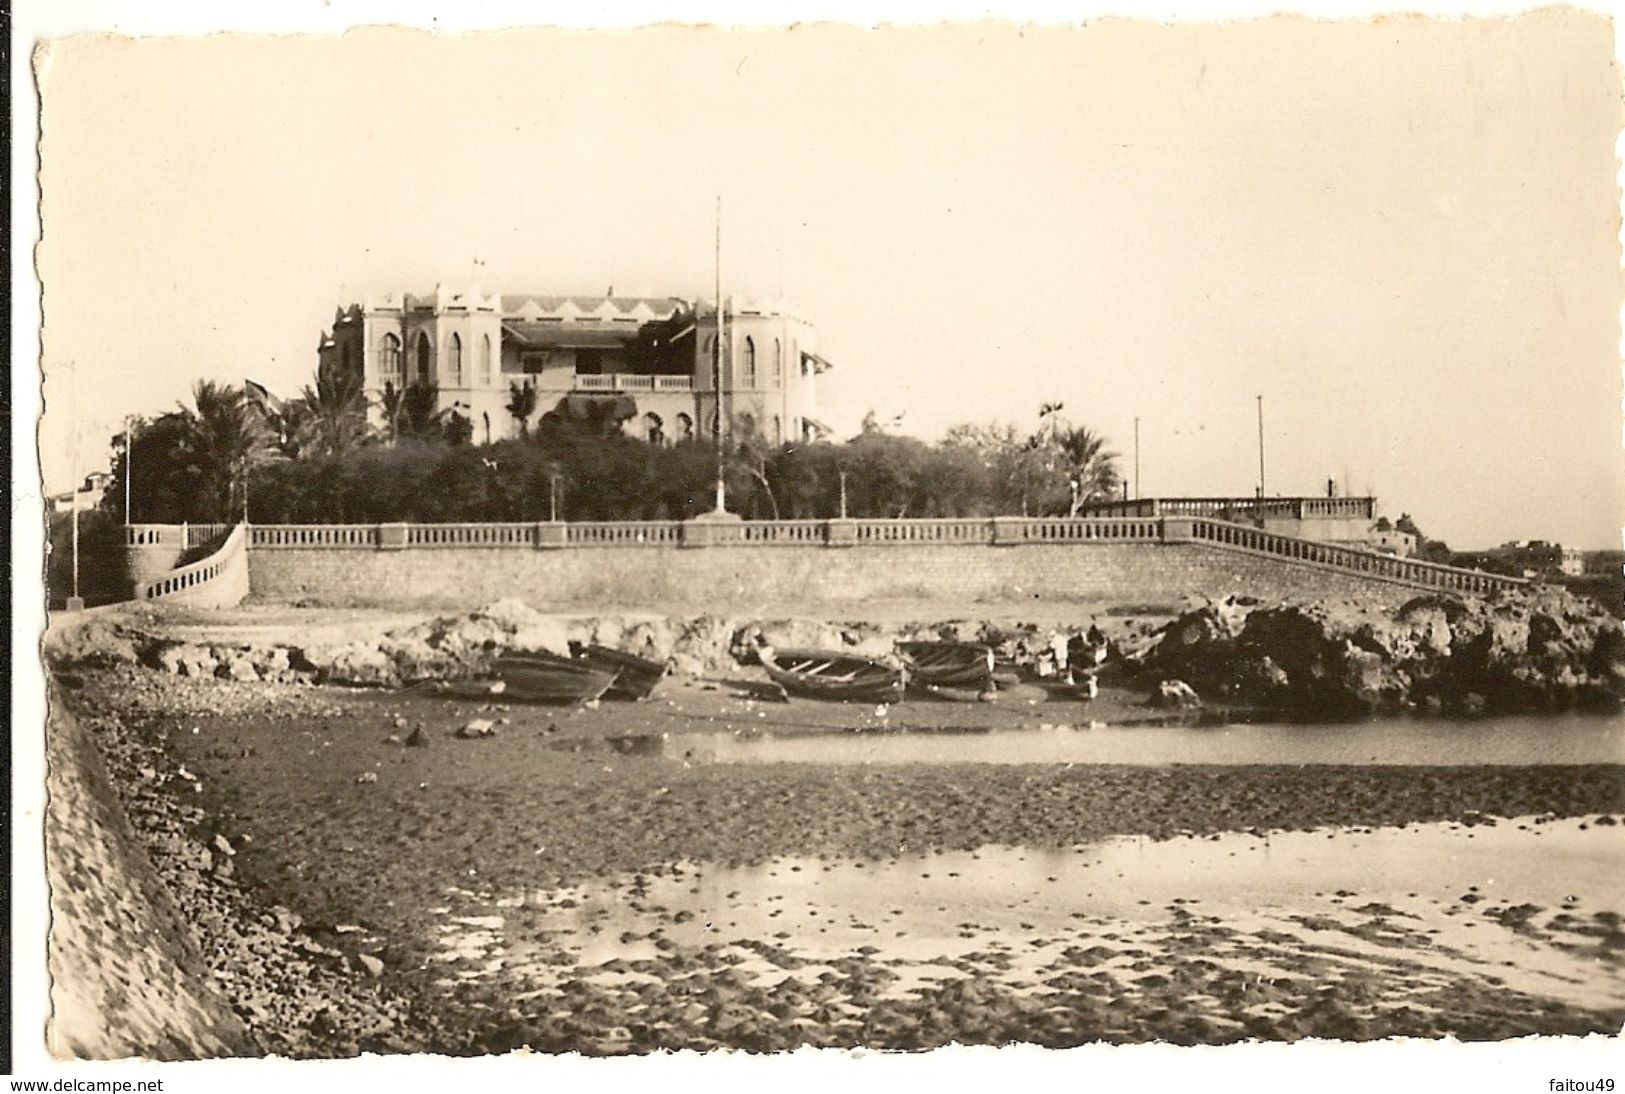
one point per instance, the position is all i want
(1403, 235)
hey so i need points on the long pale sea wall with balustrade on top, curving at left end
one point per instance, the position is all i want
(1164, 557)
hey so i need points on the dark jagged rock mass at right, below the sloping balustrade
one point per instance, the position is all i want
(1517, 651)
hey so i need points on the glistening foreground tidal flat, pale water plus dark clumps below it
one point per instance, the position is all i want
(925, 950)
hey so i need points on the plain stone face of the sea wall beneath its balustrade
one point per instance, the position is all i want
(742, 576)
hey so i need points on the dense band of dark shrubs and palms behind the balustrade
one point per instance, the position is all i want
(193, 466)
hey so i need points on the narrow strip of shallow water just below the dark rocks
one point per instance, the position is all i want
(1504, 740)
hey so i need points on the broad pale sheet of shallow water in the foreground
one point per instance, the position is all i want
(1532, 905)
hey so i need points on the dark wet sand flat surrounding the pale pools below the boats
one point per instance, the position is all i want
(381, 846)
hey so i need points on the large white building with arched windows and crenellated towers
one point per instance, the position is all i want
(644, 362)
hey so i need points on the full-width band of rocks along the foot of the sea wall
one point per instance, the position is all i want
(1520, 651)
